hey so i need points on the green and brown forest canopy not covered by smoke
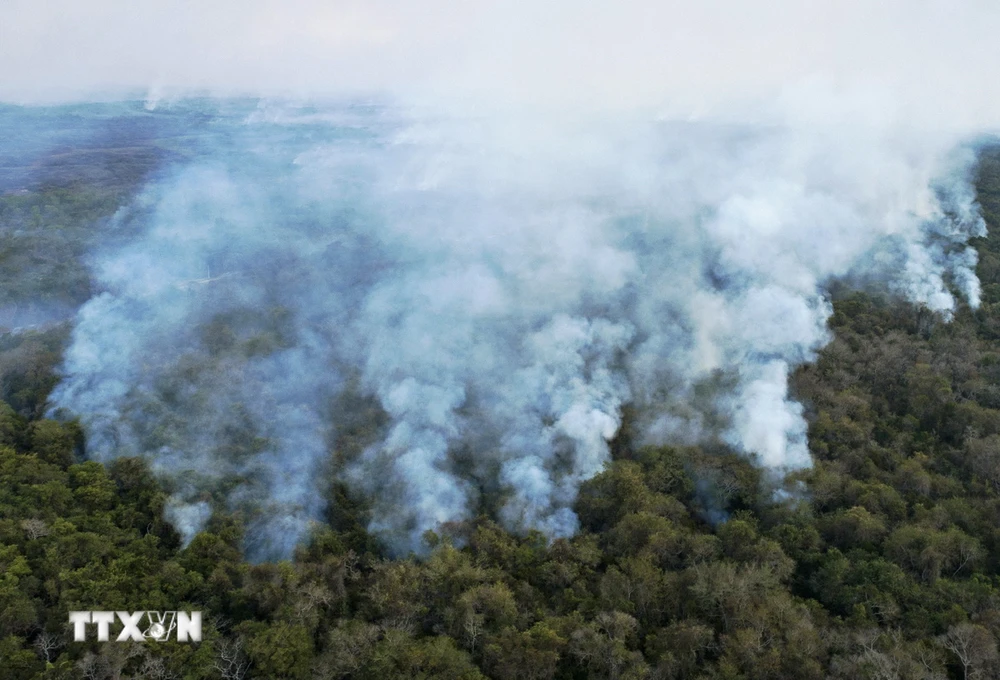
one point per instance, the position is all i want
(881, 561)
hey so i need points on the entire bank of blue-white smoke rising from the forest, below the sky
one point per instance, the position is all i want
(501, 287)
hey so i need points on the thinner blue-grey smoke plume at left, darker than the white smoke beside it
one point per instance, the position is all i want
(212, 349)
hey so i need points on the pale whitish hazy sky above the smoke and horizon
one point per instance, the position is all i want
(926, 60)
